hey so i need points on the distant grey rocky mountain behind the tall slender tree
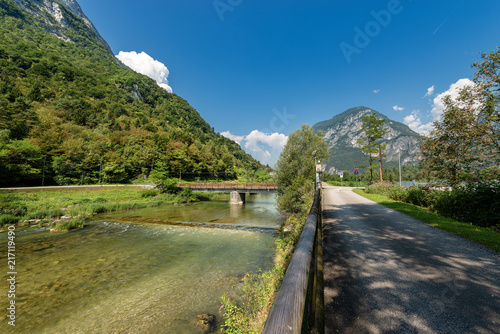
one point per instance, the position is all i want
(343, 130)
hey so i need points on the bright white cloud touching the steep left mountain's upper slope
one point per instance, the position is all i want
(145, 64)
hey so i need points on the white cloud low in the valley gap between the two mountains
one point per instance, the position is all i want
(262, 146)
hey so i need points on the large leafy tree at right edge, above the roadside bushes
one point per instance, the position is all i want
(465, 141)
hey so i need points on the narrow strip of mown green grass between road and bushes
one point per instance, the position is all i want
(484, 236)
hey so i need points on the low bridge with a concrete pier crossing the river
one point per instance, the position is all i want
(237, 190)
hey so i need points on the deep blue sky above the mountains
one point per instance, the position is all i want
(257, 70)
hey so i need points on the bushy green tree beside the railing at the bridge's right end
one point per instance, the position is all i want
(295, 169)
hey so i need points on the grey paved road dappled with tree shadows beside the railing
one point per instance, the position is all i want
(386, 272)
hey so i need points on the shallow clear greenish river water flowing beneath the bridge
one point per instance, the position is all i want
(119, 277)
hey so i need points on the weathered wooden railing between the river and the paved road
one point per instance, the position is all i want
(298, 307)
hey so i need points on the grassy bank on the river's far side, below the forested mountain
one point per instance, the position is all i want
(67, 208)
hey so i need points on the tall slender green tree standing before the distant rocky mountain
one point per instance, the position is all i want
(373, 132)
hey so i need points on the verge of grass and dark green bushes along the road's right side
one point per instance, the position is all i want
(471, 211)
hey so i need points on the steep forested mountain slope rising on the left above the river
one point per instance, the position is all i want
(70, 112)
